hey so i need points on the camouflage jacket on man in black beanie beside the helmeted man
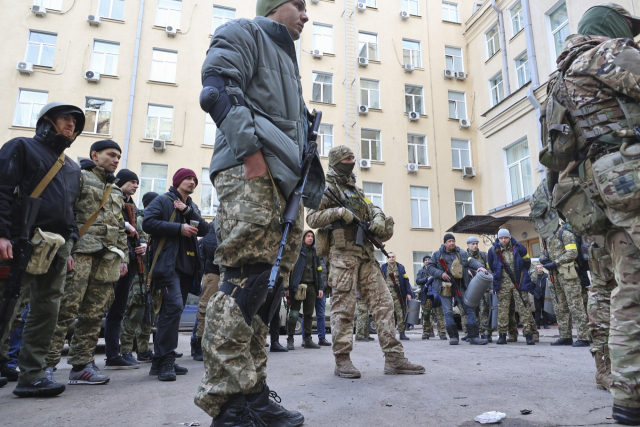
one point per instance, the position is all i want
(108, 229)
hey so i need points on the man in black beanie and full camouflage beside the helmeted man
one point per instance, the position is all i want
(100, 258)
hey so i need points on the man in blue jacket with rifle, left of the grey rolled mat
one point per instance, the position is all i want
(452, 282)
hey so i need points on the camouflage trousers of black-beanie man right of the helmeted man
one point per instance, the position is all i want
(87, 300)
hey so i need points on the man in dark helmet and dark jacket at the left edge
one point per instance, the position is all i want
(24, 162)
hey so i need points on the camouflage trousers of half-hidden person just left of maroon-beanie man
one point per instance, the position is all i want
(133, 326)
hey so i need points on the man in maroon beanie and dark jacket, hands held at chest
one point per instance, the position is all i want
(176, 268)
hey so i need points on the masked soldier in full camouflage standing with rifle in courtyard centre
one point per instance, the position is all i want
(355, 267)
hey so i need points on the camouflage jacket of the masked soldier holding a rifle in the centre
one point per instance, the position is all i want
(327, 213)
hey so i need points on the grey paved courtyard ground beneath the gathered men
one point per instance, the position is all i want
(461, 382)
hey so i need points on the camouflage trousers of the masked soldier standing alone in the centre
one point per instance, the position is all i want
(347, 273)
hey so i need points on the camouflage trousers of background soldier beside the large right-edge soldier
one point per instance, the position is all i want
(569, 305)
